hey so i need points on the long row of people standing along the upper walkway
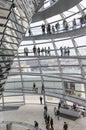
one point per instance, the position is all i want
(48, 28)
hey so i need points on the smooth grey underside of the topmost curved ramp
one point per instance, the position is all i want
(57, 8)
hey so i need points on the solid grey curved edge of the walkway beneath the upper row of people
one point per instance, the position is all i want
(81, 31)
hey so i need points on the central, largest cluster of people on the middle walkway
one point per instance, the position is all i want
(41, 51)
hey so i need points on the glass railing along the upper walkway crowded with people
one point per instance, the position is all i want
(38, 31)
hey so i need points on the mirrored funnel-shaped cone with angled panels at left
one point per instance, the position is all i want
(14, 21)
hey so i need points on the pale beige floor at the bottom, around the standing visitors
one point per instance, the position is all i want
(31, 112)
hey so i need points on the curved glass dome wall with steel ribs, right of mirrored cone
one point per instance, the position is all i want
(61, 74)
